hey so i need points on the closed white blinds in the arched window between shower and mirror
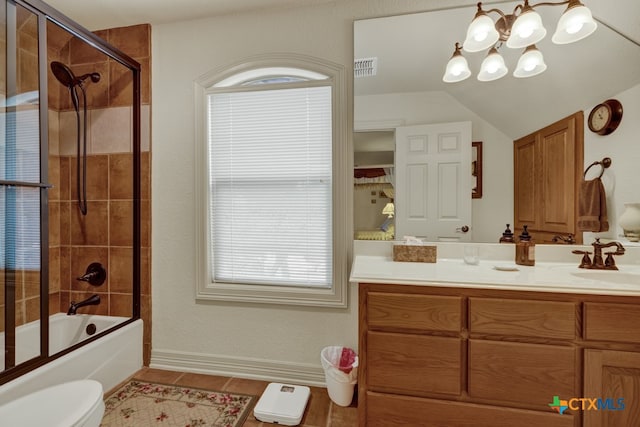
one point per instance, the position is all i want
(270, 186)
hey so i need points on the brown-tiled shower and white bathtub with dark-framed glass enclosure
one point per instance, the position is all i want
(38, 224)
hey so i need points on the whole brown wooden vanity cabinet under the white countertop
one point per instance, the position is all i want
(443, 355)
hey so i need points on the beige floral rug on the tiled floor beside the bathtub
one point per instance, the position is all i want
(140, 404)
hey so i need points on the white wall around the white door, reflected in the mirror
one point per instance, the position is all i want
(495, 208)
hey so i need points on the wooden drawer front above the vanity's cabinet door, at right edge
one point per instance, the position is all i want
(612, 322)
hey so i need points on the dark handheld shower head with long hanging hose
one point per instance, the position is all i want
(66, 77)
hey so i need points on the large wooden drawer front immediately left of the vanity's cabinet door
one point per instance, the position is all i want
(521, 373)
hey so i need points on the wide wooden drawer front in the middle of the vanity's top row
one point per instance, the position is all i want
(525, 318)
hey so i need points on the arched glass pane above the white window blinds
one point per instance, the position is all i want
(270, 75)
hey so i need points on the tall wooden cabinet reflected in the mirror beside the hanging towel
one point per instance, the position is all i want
(547, 174)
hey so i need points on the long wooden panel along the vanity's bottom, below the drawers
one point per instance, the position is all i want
(390, 411)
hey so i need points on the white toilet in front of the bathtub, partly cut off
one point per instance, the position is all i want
(72, 404)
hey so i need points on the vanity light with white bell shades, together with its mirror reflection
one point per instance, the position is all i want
(521, 29)
